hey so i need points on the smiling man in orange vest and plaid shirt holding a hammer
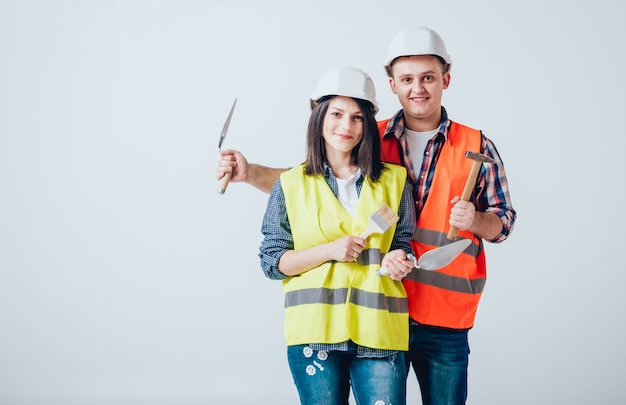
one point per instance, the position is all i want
(421, 137)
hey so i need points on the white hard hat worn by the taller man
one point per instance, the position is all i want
(416, 41)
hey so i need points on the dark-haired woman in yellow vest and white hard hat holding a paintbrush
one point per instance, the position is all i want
(344, 325)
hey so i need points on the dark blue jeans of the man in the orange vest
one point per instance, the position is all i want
(440, 358)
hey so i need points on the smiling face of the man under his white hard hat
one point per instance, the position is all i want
(419, 81)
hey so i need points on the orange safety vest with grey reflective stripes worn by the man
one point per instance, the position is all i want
(447, 297)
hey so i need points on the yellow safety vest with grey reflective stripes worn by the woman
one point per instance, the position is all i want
(340, 301)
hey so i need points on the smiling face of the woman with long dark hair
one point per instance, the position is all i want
(343, 125)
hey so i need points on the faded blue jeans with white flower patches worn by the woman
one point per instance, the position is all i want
(324, 378)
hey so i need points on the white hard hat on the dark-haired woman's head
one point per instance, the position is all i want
(345, 81)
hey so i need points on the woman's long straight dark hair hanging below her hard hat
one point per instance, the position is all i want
(365, 155)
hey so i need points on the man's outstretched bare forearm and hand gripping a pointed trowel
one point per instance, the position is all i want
(258, 176)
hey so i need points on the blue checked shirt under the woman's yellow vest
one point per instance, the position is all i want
(278, 240)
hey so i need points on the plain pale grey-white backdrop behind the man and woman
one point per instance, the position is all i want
(126, 279)
